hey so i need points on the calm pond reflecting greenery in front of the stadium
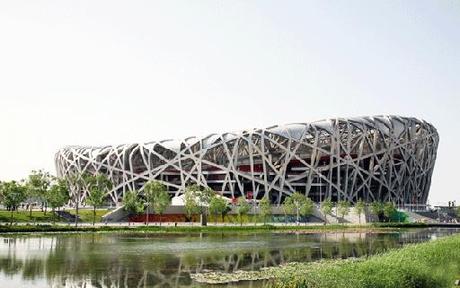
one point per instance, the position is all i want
(167, 260)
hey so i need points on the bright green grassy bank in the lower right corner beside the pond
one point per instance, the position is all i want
(432, 264)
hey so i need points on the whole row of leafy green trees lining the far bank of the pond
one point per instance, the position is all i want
(48, 191)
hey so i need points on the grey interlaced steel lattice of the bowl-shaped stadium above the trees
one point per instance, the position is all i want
(384, 158)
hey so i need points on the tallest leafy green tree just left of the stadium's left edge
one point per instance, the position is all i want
(37, 184)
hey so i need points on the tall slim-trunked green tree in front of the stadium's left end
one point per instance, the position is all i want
(98, 186)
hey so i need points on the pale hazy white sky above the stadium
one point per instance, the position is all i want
(111, 72)
